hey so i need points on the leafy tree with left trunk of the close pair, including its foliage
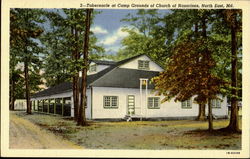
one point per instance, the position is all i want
(64, 48)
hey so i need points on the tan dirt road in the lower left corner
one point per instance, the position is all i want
(26, 135)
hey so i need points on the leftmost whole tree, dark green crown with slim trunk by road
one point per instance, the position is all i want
(23, 30)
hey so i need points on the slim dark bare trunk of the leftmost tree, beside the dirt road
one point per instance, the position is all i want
(27, 87)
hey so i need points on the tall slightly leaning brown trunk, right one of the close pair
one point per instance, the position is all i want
(81, 117)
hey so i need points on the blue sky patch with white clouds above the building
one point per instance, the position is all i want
(107, 28)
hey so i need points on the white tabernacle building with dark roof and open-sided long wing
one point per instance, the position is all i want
(116, 90)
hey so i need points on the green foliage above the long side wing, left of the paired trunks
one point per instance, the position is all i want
(56, 49)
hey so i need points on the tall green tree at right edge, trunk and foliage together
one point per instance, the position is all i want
(228, 28)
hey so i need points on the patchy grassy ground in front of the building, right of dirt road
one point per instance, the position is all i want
(182, 134)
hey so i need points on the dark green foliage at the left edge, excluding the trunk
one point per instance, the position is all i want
(23, 47)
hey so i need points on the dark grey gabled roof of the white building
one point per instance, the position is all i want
(128, 78)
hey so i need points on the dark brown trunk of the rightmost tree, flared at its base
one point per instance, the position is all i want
(233, 125)
